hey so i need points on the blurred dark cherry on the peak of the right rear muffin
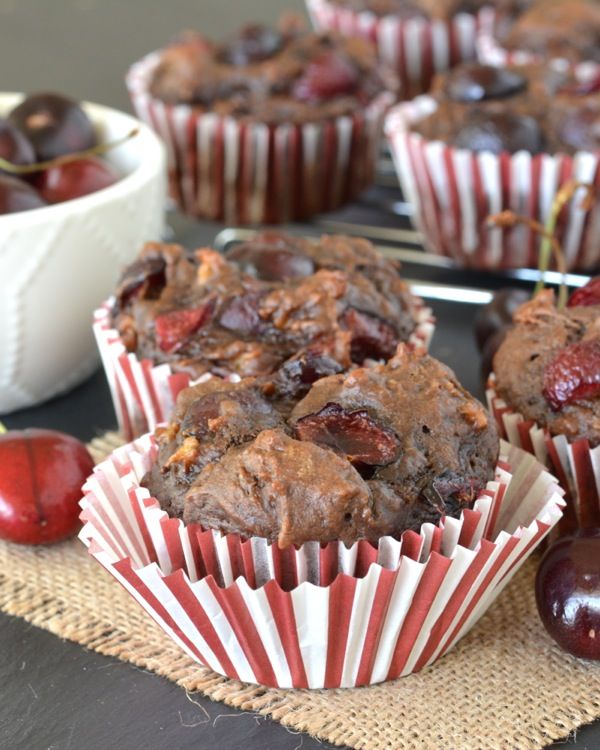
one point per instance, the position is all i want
(475, 83)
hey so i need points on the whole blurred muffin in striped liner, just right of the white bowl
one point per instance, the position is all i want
(271, 125)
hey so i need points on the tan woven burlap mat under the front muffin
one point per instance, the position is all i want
(504, 686)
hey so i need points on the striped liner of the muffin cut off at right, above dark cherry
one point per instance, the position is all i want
(575, 463)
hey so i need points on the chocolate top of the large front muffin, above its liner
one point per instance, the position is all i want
(365, 454)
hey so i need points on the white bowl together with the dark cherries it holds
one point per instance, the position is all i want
(82, 187)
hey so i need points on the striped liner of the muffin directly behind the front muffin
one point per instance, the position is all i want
(144, 394)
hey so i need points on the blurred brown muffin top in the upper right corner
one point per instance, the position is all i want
(568, 29)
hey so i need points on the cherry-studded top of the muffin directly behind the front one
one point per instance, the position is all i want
(280, 307)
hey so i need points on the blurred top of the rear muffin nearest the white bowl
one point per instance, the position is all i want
(271, 75)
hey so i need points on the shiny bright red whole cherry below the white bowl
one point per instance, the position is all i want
(41, 475)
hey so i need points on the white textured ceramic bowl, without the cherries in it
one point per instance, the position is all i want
(59, 262)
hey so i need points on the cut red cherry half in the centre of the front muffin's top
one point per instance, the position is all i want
(355, 434)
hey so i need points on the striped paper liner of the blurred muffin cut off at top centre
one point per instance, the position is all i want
(415, 48)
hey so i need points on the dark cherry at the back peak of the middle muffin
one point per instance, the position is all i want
(270, 258)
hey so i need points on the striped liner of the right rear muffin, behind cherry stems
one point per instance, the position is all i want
(452, 191)
